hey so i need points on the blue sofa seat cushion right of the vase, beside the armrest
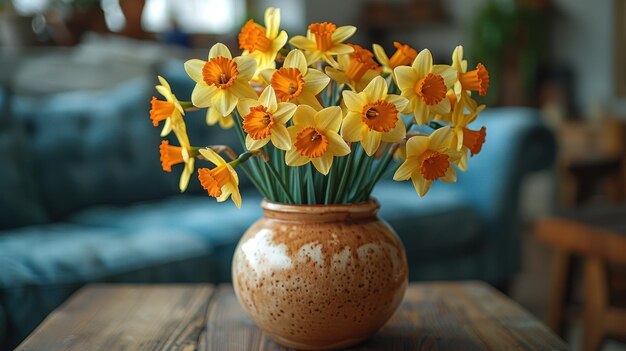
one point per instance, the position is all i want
(441, 223)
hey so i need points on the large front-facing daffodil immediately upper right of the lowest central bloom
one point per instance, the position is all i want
(373, 116)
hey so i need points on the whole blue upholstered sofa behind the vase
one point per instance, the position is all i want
(84, 200)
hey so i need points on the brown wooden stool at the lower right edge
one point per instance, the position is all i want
(598, 236)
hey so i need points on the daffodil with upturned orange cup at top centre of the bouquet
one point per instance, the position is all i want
(323, 41)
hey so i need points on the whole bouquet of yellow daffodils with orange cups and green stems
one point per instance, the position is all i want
(321, 121)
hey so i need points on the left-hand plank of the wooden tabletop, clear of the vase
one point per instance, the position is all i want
(125, 317)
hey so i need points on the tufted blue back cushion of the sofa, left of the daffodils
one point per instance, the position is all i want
(93, 147)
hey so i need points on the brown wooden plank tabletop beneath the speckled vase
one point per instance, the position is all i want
(441, 316)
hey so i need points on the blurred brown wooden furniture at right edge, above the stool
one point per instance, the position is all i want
(590, 161)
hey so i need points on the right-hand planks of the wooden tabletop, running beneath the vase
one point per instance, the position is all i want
(432, 316)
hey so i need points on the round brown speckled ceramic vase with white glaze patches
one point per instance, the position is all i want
(320, 276)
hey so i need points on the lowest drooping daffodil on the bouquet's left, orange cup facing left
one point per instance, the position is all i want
(220, 182)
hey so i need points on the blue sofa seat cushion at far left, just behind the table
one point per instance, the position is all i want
(43, 265)
